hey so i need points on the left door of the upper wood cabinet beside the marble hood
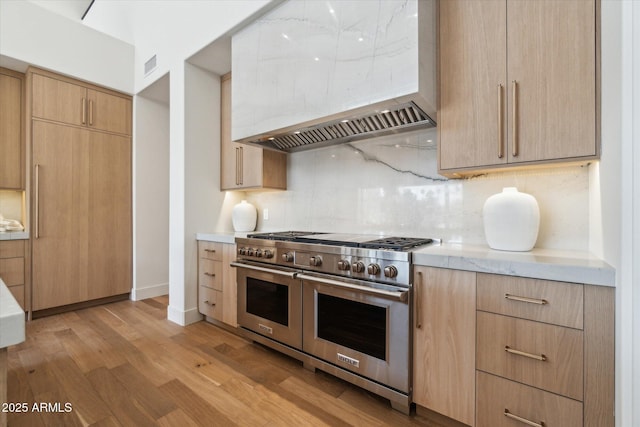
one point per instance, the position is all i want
(472, 83)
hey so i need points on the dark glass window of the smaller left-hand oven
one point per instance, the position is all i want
(268, 300)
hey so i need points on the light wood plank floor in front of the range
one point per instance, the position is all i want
(125, 364)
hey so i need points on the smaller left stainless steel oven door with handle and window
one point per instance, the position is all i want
(270, 302)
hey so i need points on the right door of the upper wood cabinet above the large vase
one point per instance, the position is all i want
(551, 50)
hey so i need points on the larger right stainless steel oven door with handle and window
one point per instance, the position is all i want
(357, 327)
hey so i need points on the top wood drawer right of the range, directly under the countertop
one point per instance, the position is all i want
(558, 303)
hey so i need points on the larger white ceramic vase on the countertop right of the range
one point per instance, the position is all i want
(511, 220)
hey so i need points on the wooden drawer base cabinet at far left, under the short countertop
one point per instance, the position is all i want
(13, 272)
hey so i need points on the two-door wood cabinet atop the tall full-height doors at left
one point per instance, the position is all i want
(75, 103)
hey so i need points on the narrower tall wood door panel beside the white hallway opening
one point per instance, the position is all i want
(109, 212)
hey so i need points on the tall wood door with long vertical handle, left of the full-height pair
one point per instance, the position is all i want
(60, 254)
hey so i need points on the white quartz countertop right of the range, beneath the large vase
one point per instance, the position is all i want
(546, 264)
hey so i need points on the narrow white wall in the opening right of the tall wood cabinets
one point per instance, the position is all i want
(151, 192)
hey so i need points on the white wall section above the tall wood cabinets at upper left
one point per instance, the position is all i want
(34, 35)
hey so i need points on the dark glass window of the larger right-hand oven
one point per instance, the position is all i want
(358, 326)
